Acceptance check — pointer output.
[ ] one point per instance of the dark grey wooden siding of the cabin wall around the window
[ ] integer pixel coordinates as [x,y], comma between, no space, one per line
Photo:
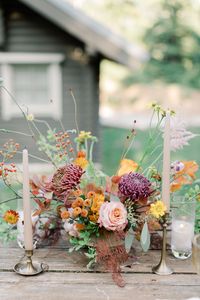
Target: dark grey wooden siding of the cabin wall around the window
[26,31]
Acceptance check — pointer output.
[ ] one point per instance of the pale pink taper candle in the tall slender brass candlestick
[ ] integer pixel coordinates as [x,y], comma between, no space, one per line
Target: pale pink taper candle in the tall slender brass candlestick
[166,163]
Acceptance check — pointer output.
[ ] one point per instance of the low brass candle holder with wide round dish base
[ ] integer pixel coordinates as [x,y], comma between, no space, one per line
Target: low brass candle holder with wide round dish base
[28,268]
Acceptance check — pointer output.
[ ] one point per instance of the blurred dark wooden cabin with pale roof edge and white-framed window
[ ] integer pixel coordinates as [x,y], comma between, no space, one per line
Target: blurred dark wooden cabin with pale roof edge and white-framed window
[48,47]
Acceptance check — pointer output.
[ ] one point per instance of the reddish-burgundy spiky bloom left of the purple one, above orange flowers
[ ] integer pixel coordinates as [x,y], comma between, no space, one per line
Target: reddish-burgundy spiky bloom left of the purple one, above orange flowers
[65,179]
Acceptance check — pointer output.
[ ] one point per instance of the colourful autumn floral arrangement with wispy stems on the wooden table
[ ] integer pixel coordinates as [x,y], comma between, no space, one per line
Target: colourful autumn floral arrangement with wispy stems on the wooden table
[99,214]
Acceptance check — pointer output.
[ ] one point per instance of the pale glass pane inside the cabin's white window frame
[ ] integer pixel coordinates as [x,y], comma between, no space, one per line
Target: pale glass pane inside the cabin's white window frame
[30,83]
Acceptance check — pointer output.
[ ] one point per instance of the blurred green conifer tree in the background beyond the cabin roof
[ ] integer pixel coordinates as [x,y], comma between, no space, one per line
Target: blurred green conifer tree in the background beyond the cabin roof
[173,47]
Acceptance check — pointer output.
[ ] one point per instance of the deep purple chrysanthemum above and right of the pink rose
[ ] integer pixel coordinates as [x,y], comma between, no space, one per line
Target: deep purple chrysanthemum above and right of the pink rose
[134,186]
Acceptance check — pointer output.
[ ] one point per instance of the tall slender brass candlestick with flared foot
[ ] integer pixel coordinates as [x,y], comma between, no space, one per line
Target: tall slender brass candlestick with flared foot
[162,268]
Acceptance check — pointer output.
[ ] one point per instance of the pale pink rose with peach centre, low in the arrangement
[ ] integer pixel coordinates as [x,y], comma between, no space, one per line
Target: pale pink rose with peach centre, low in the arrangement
[113,216]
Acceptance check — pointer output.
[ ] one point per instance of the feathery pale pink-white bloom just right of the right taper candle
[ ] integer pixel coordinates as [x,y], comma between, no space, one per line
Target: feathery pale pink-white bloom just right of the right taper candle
[179,135]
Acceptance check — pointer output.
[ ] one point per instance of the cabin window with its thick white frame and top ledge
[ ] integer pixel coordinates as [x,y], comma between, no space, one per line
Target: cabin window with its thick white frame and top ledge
[35,81]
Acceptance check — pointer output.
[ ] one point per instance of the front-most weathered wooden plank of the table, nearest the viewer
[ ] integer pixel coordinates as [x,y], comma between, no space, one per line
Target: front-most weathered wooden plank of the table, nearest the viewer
[99,286]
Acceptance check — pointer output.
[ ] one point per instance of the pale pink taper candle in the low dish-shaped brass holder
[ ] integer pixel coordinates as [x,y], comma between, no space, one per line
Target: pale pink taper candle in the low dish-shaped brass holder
[28,231]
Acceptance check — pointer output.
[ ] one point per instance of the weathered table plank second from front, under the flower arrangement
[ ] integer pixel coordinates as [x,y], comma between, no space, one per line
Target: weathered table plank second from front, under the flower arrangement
[61,260]
